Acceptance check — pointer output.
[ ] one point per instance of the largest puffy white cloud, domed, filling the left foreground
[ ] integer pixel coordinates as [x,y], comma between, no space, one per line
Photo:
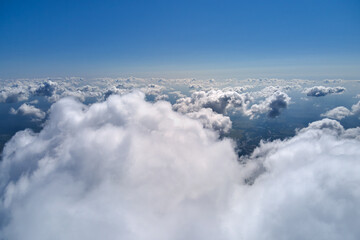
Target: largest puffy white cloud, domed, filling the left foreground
[122,169]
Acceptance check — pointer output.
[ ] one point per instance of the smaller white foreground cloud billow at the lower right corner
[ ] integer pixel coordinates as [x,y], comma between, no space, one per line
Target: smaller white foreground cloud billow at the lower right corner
[303,187]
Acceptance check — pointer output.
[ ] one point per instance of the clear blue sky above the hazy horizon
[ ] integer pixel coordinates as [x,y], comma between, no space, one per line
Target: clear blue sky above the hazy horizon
[129,37]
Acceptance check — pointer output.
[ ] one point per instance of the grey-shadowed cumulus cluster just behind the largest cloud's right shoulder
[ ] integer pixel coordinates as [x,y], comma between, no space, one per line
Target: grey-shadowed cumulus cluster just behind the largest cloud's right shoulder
[228,100]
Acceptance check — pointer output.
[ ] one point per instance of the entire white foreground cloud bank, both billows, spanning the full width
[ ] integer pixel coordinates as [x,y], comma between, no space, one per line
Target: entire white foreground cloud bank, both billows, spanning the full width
[129,169]
